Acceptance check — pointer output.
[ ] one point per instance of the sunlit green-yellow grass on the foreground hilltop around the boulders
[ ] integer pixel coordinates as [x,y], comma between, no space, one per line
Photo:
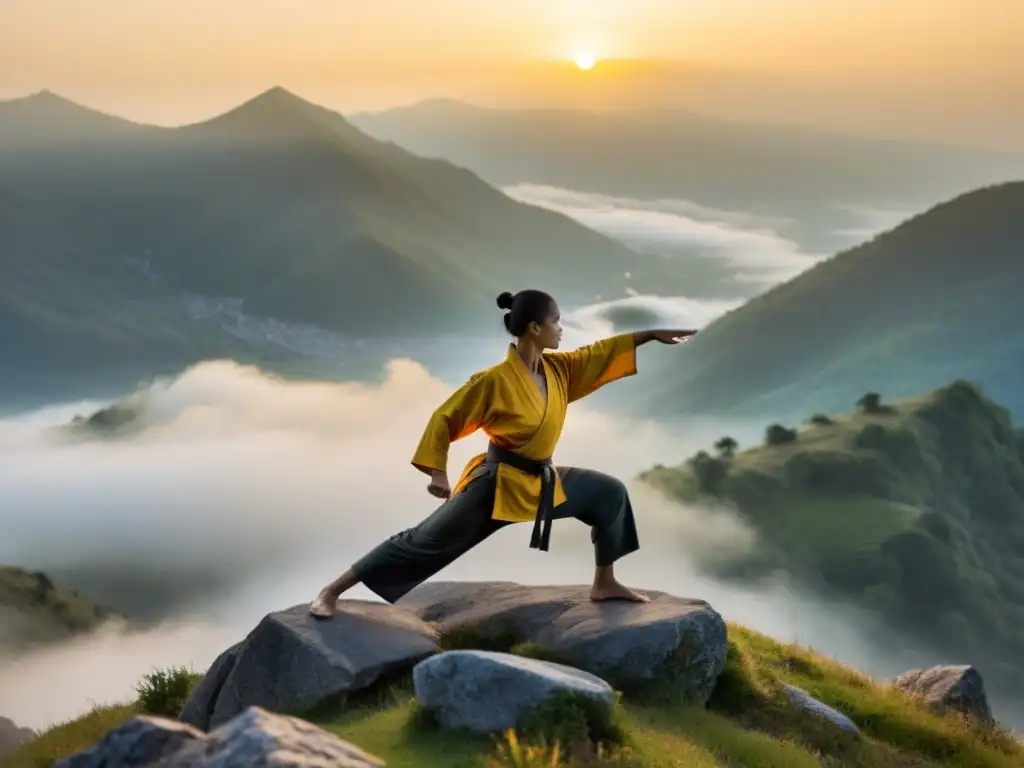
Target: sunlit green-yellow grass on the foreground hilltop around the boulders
[749,722]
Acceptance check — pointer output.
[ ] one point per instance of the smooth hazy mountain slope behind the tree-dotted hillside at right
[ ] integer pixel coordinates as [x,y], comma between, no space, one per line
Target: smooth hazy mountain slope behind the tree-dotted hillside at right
[935,300]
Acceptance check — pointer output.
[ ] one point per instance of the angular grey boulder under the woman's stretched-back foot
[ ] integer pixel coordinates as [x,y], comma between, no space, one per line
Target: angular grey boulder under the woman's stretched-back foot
[292,663]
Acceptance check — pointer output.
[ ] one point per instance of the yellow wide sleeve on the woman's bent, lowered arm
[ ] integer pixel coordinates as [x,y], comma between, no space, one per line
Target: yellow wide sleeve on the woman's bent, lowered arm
[462,414]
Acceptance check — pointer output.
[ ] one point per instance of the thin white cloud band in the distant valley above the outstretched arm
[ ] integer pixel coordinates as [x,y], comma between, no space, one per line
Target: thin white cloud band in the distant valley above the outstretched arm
[749,242]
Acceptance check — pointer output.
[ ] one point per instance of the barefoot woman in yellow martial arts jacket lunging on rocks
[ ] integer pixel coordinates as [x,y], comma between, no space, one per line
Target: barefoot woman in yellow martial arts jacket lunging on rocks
[521,404]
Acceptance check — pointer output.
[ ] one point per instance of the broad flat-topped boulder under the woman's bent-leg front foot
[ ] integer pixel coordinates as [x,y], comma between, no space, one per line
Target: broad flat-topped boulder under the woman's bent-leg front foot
[671,639]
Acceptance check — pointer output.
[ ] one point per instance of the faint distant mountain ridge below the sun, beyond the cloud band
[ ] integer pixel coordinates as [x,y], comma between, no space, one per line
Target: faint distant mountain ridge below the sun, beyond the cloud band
[787,172]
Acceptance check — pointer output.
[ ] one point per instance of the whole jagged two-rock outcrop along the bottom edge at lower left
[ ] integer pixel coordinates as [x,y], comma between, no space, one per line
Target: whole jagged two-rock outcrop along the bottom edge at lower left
[255,739]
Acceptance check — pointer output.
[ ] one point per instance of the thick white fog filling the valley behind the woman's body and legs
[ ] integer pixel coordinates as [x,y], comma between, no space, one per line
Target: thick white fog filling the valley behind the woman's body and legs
[243,494]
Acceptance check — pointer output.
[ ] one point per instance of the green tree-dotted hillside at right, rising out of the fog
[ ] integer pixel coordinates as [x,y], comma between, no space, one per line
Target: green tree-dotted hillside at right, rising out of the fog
[914,510]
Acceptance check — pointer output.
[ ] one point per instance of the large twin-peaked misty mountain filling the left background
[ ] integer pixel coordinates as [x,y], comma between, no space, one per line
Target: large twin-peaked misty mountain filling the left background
[277,228]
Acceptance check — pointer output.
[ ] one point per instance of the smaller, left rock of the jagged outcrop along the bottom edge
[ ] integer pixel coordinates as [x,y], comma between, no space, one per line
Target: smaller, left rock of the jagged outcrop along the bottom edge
[141,742]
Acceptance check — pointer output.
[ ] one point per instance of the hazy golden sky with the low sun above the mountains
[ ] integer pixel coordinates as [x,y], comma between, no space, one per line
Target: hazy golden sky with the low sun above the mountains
[908,64]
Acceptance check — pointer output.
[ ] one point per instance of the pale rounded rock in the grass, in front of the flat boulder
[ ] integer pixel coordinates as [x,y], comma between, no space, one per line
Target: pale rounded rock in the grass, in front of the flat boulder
[488,692]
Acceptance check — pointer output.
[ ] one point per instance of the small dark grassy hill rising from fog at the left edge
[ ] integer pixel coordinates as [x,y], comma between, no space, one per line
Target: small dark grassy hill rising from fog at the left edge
[34,611]
